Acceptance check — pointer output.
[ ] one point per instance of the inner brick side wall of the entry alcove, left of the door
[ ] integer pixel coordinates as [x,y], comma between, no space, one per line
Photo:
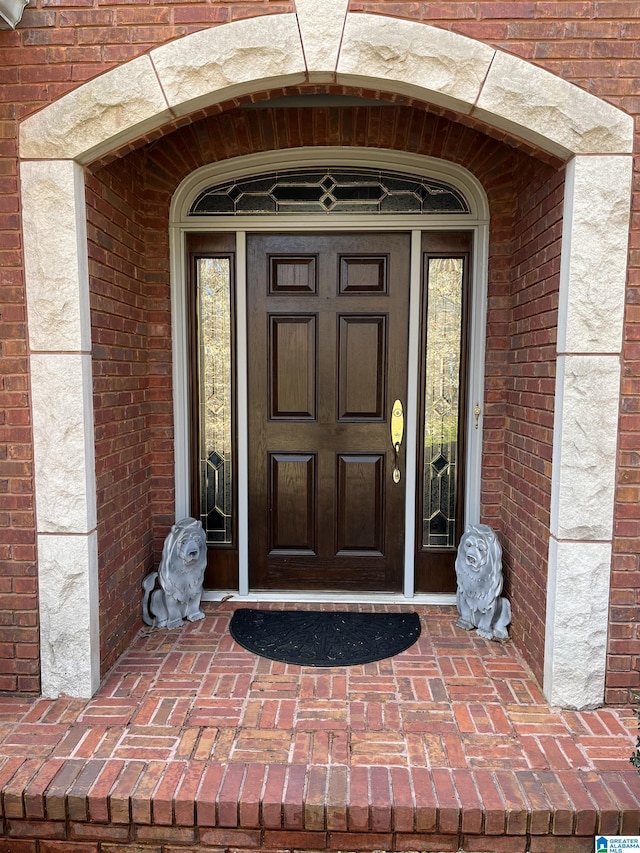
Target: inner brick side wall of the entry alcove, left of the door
[119,317]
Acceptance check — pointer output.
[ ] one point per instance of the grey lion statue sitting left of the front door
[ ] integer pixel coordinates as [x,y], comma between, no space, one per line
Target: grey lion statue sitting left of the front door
[180,576]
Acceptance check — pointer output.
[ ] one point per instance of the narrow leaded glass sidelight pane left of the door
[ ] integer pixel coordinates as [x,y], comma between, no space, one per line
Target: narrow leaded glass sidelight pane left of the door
[213,282]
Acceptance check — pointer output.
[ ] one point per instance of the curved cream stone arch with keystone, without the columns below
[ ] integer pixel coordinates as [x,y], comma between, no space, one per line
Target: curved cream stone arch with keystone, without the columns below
[360,50]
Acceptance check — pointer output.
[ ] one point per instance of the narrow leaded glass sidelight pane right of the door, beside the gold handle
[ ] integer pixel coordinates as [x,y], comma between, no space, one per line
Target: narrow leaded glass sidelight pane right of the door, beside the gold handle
[442,401]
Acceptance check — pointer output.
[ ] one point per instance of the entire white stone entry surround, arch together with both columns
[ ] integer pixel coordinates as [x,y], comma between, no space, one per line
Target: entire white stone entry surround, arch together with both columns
[357,50]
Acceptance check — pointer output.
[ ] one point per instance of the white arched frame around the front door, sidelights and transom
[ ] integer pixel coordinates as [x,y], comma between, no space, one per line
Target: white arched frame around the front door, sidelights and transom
[181,224]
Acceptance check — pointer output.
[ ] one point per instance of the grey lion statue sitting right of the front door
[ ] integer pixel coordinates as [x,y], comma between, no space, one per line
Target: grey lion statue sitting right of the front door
[479,575]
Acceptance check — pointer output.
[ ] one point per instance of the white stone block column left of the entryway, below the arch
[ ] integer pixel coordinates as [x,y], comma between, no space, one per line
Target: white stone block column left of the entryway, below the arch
[57,285]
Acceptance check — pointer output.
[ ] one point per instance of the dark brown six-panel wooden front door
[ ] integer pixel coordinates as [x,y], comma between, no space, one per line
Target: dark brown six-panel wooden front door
[327,326]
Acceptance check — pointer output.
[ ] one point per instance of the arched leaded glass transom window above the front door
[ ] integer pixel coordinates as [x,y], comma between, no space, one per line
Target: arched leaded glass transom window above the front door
[329,191]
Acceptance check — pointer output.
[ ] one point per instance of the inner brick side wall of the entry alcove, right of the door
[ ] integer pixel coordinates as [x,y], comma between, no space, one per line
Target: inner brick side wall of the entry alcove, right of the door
[529,403]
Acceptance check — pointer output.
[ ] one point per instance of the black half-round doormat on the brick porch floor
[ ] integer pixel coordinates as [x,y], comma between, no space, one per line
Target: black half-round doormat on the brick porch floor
[324,638]
